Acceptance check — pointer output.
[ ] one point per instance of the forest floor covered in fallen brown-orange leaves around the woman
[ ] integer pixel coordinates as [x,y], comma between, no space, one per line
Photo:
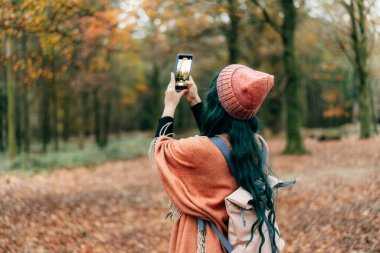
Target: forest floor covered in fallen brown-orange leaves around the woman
[120,206]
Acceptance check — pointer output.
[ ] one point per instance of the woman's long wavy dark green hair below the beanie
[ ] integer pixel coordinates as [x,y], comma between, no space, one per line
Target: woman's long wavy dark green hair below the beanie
[246,156]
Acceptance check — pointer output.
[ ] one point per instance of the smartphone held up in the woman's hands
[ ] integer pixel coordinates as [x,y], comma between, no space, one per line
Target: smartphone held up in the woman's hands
[182,69]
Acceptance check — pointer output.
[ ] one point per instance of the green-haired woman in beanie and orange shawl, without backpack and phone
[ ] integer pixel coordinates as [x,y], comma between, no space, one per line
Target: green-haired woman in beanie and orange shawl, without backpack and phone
[195,174]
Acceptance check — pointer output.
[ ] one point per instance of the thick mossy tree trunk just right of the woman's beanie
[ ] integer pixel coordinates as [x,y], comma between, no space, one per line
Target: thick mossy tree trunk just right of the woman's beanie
[292,90]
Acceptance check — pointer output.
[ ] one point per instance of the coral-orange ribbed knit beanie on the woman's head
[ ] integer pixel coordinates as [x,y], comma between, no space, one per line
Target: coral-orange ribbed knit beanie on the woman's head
[242,90]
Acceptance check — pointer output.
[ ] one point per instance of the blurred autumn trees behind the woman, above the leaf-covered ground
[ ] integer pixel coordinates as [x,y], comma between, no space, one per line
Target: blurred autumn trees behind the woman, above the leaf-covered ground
[87,69]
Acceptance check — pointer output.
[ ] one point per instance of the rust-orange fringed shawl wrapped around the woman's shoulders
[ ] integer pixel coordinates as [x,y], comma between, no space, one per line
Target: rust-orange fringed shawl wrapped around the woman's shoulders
[196,178]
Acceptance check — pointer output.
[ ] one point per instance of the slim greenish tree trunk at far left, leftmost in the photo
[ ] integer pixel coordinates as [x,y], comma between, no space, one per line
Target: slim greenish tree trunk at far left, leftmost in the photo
[10,98]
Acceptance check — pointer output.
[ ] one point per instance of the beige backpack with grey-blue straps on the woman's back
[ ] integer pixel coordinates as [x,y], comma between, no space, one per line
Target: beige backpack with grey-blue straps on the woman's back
[242,214]
